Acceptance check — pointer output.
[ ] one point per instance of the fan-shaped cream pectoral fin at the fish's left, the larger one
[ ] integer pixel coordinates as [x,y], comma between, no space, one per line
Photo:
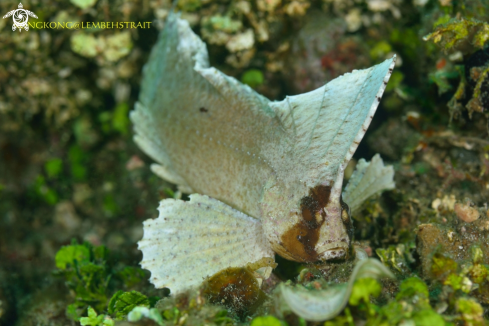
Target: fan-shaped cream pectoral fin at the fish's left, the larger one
[191,240]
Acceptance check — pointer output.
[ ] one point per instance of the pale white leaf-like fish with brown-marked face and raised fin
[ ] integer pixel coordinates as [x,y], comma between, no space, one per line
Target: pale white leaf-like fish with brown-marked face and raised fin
[273,171]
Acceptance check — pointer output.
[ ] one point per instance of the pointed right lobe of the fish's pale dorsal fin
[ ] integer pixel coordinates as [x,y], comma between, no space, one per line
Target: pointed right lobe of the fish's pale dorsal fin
[327,124]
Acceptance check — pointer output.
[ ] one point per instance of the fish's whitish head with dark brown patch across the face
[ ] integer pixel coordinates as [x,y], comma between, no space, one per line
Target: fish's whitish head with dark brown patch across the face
[308,228]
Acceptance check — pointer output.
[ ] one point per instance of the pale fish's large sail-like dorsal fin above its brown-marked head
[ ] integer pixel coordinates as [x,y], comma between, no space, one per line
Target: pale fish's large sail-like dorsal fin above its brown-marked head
[214,135]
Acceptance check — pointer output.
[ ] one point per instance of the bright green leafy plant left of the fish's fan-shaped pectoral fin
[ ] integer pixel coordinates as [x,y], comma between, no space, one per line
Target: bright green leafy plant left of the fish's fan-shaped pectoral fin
[91,279]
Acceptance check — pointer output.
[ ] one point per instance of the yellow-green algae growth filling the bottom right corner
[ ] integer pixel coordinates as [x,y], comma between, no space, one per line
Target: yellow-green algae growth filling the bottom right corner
[458,291]
